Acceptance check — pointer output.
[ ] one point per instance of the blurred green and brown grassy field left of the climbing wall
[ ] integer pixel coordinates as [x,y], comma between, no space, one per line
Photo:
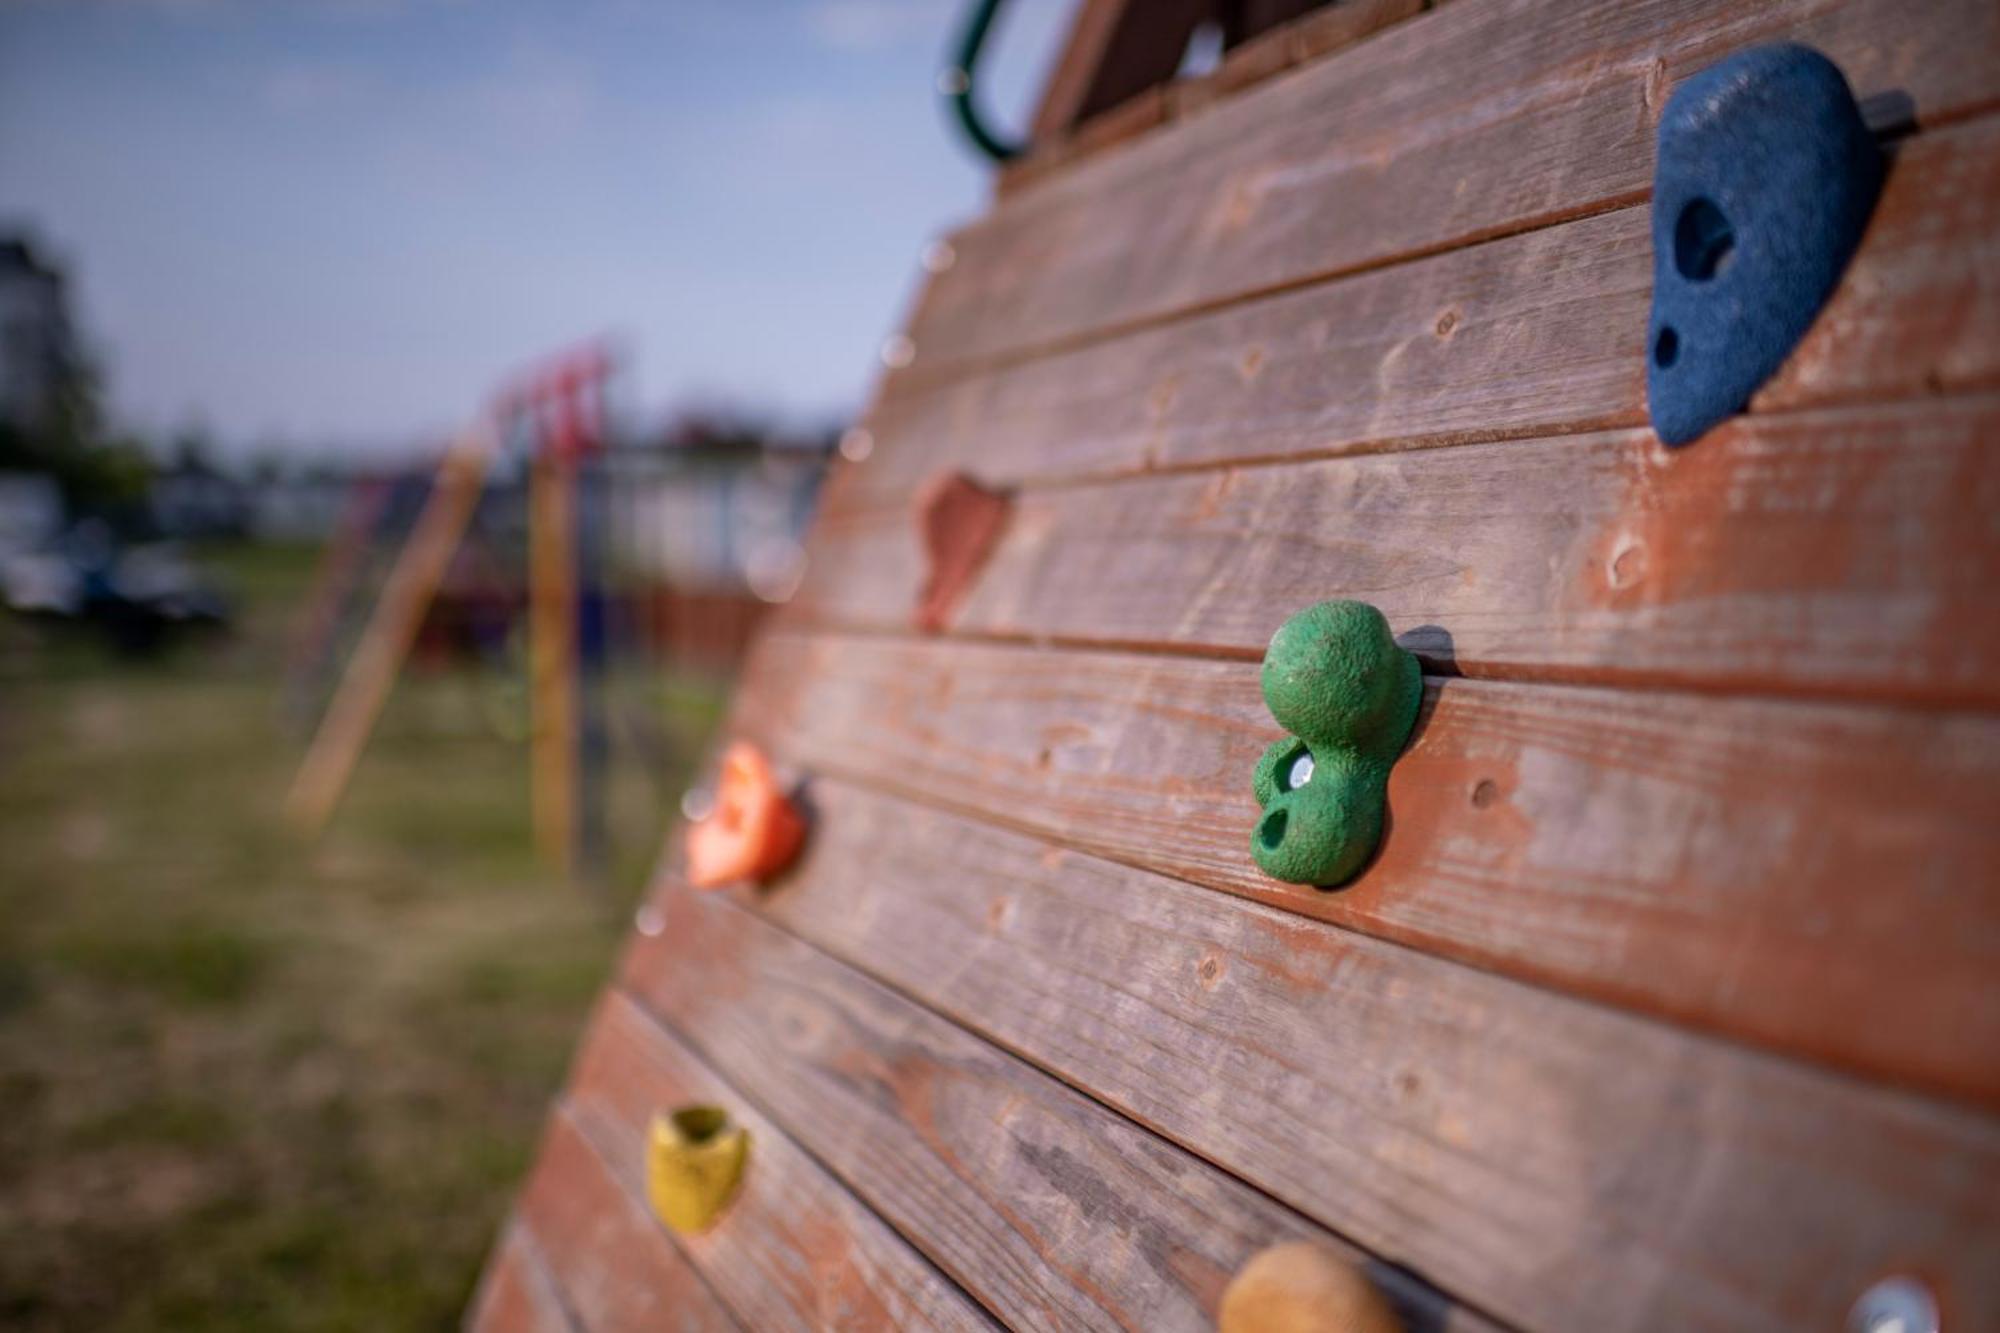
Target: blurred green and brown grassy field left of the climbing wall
[251,1086]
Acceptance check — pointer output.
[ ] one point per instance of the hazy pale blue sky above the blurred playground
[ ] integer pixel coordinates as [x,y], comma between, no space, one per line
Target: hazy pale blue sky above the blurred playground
[337,223]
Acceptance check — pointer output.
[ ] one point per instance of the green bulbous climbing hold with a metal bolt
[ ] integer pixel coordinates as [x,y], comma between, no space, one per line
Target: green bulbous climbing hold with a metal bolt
[1349,696]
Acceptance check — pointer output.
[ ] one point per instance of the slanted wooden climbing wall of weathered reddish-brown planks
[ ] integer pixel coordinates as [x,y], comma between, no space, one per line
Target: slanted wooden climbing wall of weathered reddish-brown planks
[1673,1000]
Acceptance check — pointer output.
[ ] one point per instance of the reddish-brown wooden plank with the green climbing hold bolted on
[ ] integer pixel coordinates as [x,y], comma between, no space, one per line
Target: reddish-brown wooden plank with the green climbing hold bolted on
[1745,866]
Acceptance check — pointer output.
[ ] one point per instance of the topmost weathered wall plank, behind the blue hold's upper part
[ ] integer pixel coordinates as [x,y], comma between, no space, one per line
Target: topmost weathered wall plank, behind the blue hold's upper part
[1479,119]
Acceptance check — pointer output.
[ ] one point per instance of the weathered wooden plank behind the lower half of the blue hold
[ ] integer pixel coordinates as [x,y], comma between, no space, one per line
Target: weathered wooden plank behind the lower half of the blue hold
[1519,337]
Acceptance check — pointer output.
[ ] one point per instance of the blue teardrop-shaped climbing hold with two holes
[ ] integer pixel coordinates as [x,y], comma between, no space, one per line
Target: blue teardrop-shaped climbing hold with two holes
[1763,185]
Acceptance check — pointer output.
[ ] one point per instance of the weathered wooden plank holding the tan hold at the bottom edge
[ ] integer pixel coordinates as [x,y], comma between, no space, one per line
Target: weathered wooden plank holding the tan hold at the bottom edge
[1039,1202]
